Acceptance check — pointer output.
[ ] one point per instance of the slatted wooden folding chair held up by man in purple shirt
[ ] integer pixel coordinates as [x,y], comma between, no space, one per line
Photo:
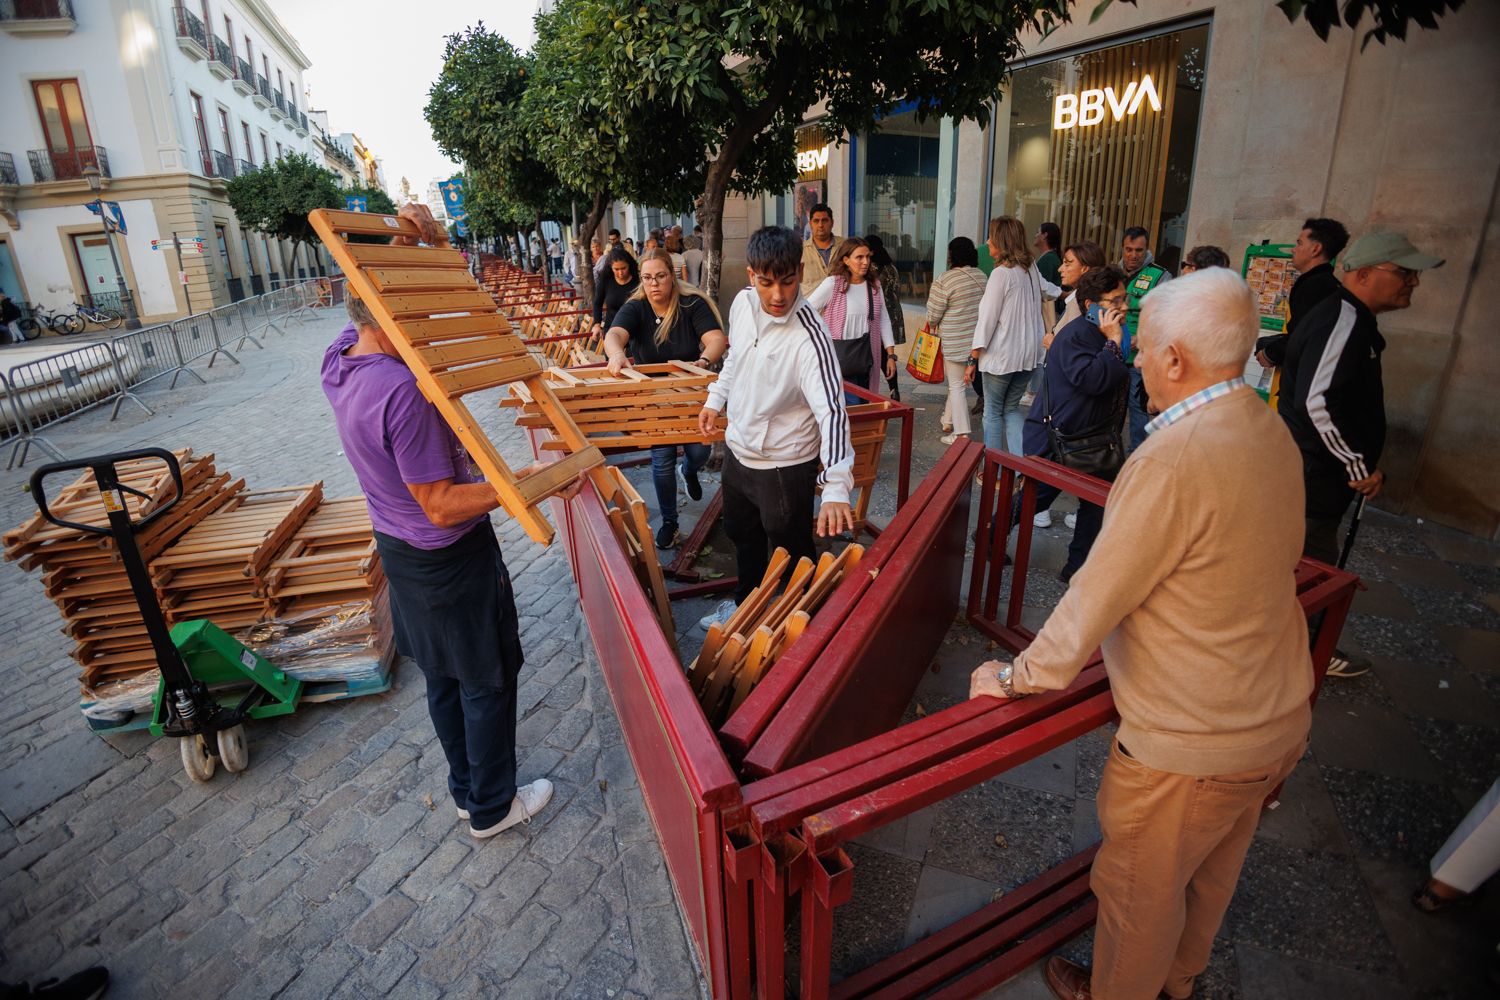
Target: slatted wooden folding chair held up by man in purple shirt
[454,338]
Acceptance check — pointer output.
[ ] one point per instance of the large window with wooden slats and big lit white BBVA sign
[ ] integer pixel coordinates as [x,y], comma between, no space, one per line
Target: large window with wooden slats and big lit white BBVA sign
[1103,142]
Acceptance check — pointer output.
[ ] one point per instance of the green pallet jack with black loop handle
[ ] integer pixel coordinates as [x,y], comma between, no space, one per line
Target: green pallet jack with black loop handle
[211,681]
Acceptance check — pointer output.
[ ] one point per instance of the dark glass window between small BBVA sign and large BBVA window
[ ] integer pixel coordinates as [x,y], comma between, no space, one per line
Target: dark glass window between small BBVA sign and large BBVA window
[896,194]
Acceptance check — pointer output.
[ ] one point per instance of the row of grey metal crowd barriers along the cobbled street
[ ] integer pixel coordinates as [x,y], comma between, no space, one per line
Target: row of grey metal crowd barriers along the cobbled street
[46,392]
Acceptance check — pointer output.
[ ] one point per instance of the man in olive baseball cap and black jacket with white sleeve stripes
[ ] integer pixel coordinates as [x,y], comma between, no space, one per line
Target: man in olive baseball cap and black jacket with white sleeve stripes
[1331,391]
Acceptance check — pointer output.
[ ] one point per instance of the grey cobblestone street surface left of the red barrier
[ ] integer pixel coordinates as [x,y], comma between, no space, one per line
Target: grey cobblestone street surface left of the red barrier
[335,866]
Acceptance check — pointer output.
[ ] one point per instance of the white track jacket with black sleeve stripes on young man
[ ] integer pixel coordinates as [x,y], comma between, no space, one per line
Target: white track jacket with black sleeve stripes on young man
[784,397]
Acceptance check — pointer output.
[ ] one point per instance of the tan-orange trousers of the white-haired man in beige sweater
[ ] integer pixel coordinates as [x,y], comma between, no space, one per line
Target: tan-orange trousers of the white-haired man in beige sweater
[1174,846]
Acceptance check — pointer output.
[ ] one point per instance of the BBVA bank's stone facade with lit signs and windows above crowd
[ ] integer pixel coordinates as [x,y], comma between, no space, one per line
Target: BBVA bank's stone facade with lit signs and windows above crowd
[1226,125]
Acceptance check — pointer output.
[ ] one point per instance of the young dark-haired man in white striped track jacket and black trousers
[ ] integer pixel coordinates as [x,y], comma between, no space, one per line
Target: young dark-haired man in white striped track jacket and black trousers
[784,397]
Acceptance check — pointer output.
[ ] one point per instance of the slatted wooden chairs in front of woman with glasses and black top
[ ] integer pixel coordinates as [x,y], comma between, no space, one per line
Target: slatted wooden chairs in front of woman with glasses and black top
[643,407]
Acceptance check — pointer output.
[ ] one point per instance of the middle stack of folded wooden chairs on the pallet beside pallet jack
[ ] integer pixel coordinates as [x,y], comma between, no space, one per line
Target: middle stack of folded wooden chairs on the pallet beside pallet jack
[218,569]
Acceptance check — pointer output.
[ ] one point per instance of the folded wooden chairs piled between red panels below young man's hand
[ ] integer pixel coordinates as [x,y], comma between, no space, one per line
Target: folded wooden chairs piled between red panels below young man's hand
[737,654]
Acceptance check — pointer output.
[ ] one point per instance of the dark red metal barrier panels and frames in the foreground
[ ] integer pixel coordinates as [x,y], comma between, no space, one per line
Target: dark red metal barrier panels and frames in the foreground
[742,852]
